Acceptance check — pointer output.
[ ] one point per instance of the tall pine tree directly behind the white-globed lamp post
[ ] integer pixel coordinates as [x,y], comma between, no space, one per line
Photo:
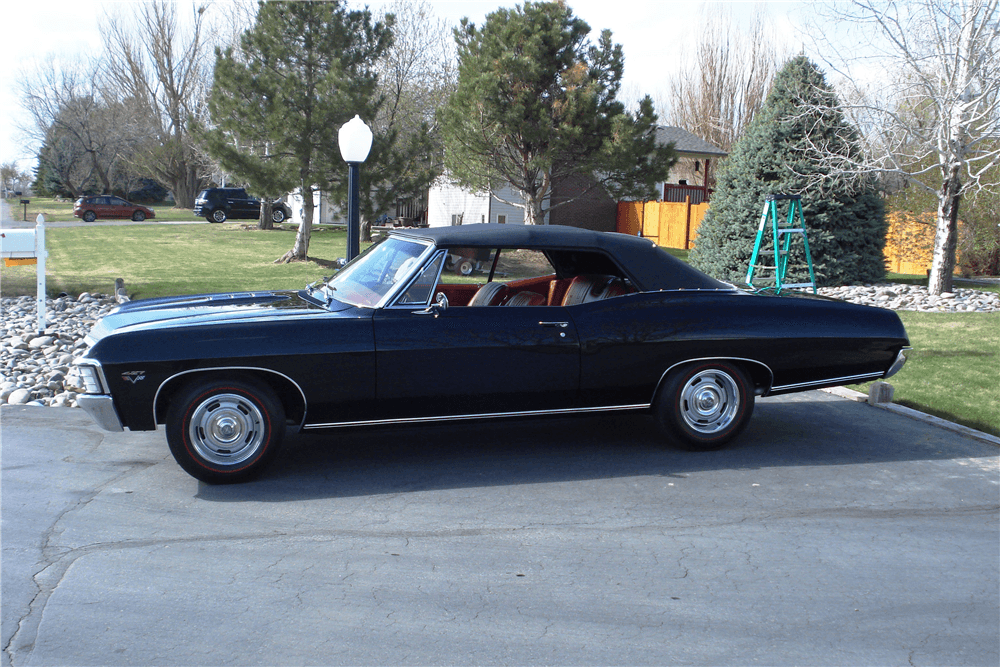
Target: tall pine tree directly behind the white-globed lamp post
[279,100]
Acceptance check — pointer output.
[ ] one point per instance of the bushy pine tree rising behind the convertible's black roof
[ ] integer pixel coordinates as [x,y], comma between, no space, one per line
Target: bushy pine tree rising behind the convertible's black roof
[536,103]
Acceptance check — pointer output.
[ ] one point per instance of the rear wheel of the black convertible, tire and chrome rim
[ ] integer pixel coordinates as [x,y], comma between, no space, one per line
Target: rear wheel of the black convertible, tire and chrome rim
[704,405]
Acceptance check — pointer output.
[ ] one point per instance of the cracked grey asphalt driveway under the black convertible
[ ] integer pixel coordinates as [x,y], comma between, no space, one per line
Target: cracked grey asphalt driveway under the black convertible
[829,533]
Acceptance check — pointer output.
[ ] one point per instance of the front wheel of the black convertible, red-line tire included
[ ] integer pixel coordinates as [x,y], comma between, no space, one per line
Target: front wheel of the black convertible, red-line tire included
[224,431]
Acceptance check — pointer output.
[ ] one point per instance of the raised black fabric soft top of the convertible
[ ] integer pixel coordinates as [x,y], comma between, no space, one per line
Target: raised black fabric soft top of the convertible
[648,265]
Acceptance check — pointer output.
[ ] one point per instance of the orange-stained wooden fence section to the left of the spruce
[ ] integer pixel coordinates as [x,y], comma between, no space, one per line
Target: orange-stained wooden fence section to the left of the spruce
[667,224]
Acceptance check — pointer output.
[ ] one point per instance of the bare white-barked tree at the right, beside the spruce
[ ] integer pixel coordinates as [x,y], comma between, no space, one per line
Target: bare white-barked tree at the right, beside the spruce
[931,112]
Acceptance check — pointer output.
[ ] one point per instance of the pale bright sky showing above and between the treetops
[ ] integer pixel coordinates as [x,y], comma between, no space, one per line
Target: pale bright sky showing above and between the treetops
[656,36]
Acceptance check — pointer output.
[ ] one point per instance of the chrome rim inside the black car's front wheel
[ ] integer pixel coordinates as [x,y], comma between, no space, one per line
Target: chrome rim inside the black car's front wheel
[226,429]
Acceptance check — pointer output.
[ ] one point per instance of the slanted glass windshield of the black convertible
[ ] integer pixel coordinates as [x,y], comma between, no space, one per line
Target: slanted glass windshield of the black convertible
[373,273]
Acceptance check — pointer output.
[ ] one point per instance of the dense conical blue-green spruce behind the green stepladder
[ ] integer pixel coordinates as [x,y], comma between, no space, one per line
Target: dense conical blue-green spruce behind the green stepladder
[844,216]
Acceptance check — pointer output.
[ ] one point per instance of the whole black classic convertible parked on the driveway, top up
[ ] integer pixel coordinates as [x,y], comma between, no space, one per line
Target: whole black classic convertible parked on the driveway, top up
[551,320]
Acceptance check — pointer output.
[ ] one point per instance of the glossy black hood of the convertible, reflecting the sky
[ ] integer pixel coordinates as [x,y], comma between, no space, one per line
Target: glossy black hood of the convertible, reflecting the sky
[207,310]
